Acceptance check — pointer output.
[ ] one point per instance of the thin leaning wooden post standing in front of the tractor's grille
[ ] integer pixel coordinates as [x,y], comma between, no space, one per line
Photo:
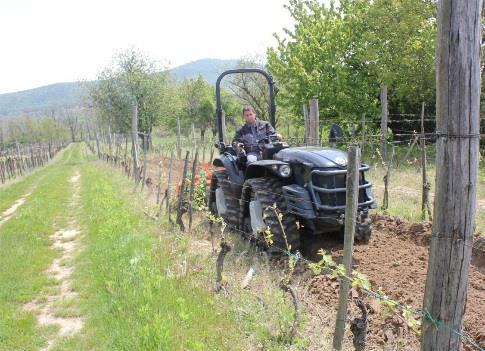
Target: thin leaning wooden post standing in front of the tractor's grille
[352,196]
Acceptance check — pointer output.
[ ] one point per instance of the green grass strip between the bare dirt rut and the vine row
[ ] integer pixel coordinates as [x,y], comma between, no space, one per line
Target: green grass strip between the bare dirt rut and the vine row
[129,302]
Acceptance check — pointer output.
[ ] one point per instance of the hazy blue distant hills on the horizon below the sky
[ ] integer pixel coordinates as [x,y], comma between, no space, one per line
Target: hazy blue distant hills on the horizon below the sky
[44,99]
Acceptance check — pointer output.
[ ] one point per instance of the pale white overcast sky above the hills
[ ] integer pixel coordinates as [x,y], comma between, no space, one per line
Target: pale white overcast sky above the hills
[49,41]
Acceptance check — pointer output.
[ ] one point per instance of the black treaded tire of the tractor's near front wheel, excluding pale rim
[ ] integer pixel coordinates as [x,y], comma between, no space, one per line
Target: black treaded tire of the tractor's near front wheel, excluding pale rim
[269,192]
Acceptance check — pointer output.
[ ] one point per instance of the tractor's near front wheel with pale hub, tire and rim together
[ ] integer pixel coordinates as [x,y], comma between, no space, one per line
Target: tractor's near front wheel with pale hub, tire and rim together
[258,197]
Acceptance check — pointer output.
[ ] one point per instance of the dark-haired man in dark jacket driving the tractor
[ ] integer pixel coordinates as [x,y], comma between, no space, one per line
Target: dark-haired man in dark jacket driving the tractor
[250,135]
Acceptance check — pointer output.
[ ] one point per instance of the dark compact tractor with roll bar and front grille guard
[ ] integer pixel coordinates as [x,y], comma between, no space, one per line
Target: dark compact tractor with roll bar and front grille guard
[307,185]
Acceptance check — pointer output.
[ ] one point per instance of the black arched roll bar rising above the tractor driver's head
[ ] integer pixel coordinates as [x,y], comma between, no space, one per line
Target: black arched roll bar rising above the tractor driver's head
[272,104]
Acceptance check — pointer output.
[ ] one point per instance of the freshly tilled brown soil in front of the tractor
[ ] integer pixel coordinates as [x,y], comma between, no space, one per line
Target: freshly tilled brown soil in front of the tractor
[396,259]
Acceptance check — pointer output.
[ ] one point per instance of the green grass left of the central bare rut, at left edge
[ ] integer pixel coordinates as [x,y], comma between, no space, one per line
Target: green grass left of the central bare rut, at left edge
[26,252]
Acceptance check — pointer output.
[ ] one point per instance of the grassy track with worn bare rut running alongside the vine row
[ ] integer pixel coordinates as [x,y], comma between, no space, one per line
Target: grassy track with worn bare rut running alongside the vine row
[82,269]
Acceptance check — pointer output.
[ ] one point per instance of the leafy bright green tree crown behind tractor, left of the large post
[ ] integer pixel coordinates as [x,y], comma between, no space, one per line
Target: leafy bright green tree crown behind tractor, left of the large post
[341,55]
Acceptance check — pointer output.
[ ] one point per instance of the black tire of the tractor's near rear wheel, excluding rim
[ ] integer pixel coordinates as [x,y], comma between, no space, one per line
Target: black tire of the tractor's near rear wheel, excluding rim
[220,180]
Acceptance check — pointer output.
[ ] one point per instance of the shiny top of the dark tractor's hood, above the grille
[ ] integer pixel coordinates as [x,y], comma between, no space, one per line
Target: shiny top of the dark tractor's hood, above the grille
[314,156]
